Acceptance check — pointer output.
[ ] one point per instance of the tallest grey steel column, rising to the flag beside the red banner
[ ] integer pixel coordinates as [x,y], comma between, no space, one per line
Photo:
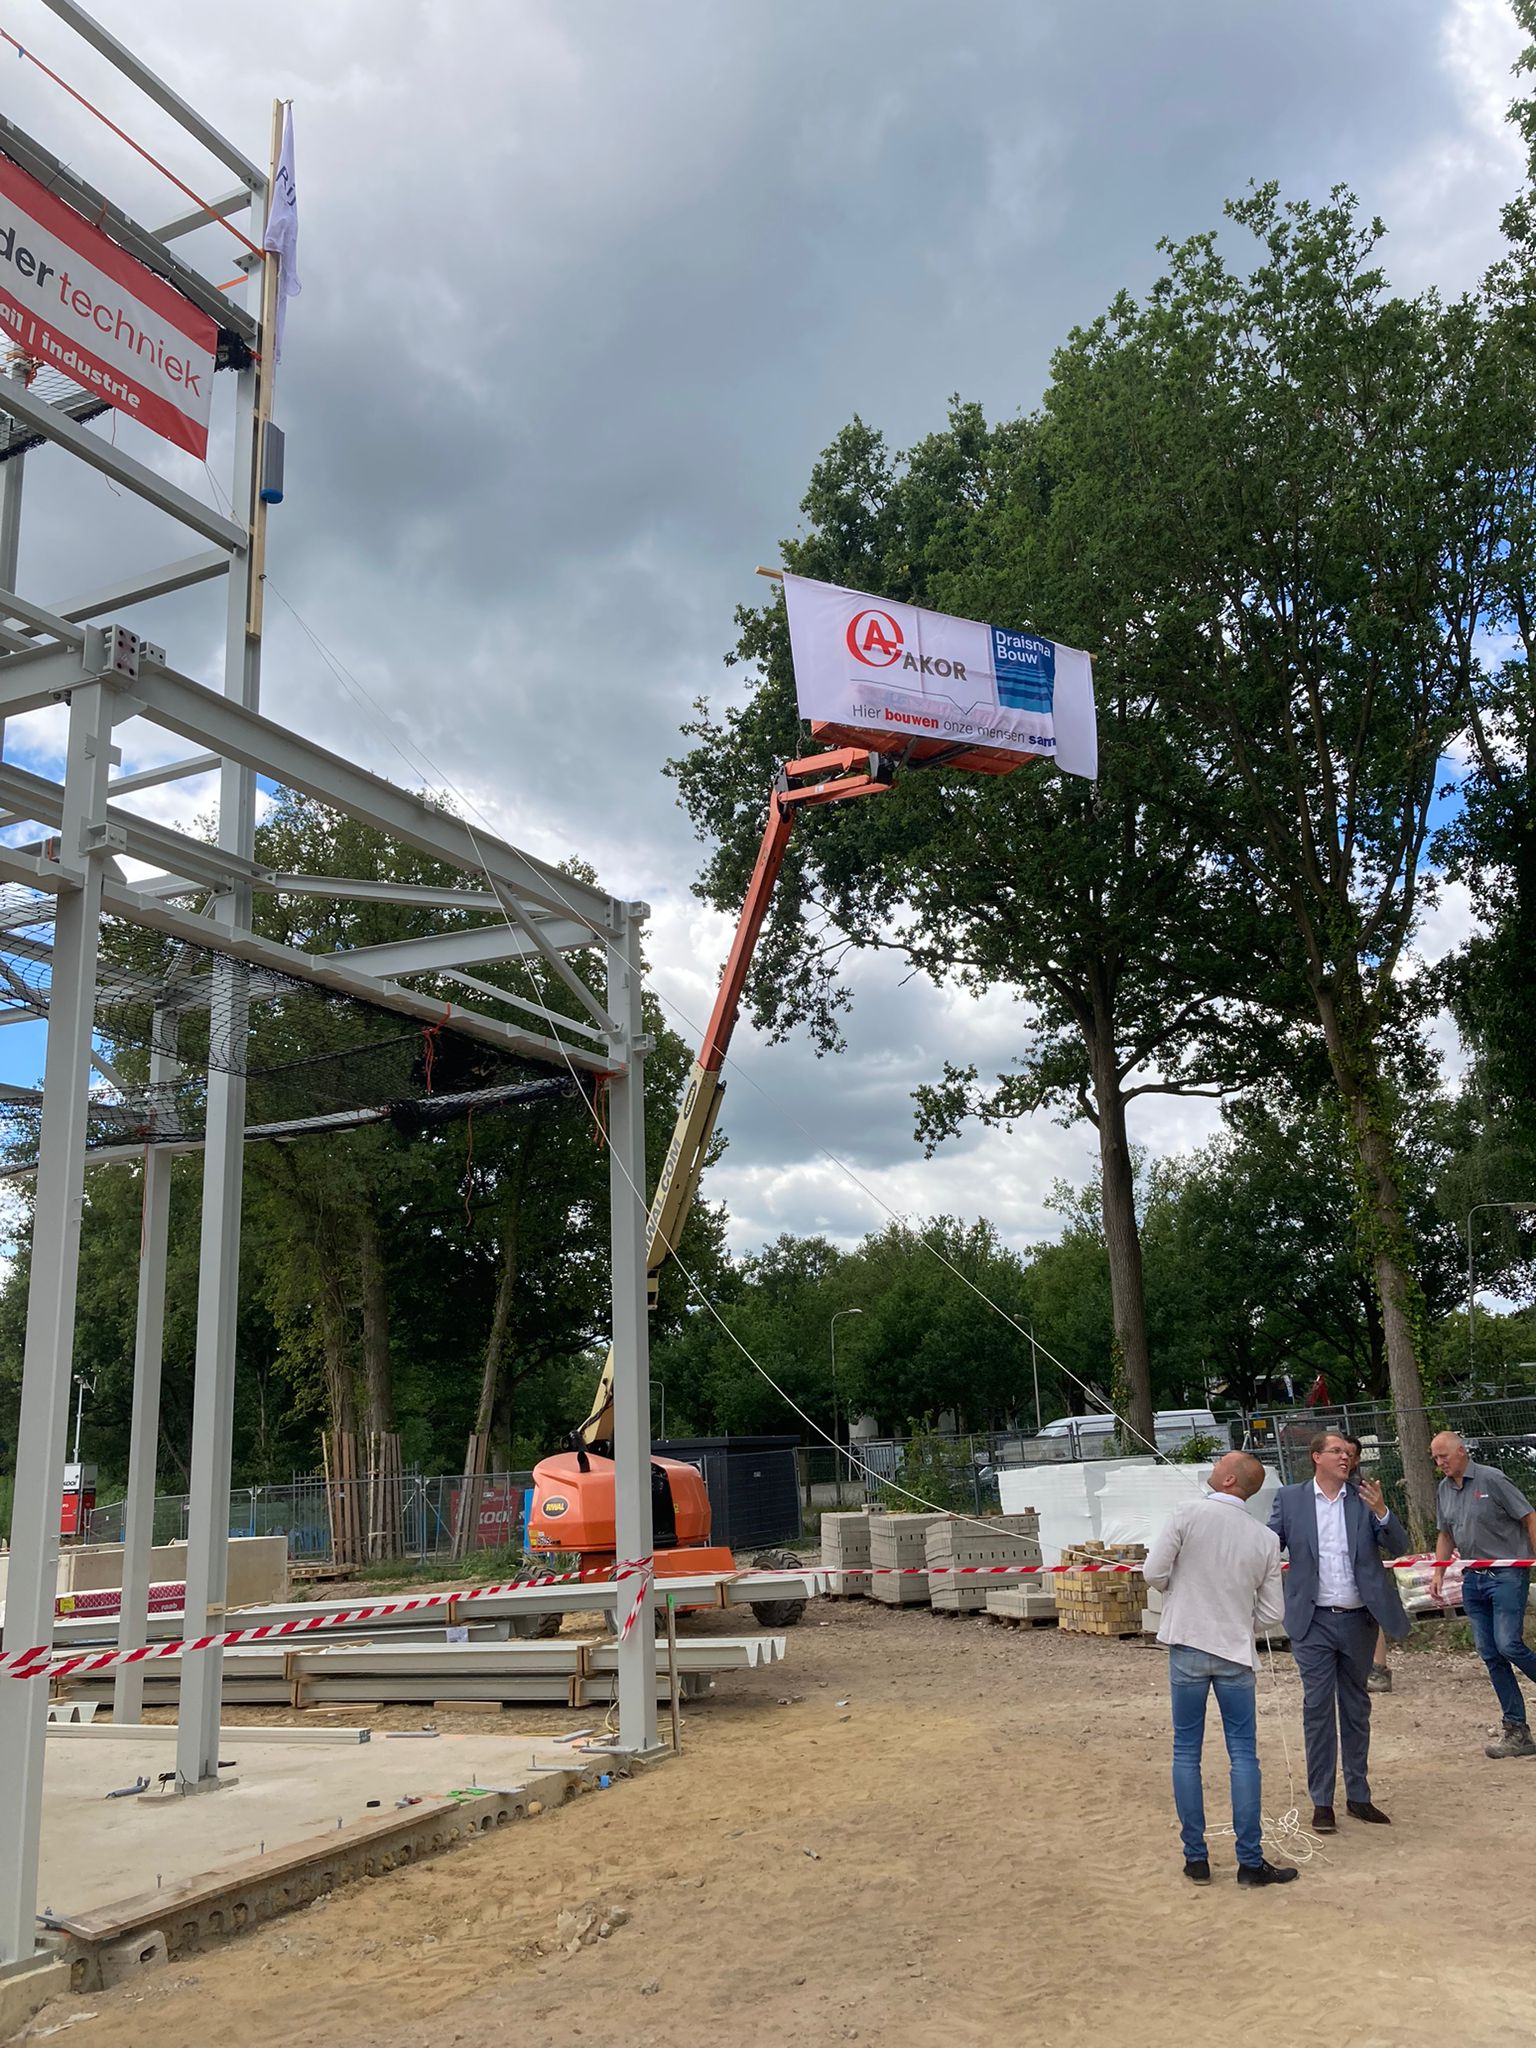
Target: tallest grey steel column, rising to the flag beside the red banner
[224,1156]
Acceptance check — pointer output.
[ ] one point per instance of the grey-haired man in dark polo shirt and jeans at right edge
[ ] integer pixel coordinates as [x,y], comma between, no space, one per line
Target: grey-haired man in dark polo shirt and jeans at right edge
[1484,1514]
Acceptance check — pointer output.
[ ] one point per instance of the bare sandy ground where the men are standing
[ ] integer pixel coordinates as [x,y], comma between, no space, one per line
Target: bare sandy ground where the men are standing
[921,1830]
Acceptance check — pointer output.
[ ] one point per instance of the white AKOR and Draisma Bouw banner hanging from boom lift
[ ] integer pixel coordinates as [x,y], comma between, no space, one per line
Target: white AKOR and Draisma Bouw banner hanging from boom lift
[898,671]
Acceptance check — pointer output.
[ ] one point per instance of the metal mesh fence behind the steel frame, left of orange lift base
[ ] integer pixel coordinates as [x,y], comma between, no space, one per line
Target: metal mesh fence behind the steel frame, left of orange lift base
[429,1514]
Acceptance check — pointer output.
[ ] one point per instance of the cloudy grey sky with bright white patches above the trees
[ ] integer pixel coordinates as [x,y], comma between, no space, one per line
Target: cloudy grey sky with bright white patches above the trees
[589,286]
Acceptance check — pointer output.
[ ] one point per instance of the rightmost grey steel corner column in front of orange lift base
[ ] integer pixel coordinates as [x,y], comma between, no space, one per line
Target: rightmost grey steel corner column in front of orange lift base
[632,1394]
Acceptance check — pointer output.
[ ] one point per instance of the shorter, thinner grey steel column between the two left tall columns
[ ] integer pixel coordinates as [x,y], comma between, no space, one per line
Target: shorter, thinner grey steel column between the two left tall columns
[144,1439]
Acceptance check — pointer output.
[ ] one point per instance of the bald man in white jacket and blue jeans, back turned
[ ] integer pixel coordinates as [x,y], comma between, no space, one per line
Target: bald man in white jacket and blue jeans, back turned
[1220,1572]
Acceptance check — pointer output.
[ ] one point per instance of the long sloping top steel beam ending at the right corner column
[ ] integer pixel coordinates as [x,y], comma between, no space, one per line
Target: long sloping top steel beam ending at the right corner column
[239,734]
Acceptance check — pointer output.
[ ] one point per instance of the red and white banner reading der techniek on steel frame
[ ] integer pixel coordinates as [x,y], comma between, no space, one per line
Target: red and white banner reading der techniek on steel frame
[73,300]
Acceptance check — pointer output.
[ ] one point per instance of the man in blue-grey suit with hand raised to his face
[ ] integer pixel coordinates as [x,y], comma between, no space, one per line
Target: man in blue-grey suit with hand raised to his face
[1338,1594]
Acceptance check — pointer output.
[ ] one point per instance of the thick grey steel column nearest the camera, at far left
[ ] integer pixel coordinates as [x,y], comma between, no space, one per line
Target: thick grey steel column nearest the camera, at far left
[48,1359]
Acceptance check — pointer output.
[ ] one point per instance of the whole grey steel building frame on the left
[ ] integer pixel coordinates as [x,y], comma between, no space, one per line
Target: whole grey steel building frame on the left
[108,677]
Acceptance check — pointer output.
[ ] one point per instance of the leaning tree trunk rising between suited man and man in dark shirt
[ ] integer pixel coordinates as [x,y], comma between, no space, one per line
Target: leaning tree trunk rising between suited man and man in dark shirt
[1357,1076]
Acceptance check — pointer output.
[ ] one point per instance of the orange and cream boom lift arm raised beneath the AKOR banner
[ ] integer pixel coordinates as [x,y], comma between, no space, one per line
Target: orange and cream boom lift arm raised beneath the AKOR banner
[818,779]
